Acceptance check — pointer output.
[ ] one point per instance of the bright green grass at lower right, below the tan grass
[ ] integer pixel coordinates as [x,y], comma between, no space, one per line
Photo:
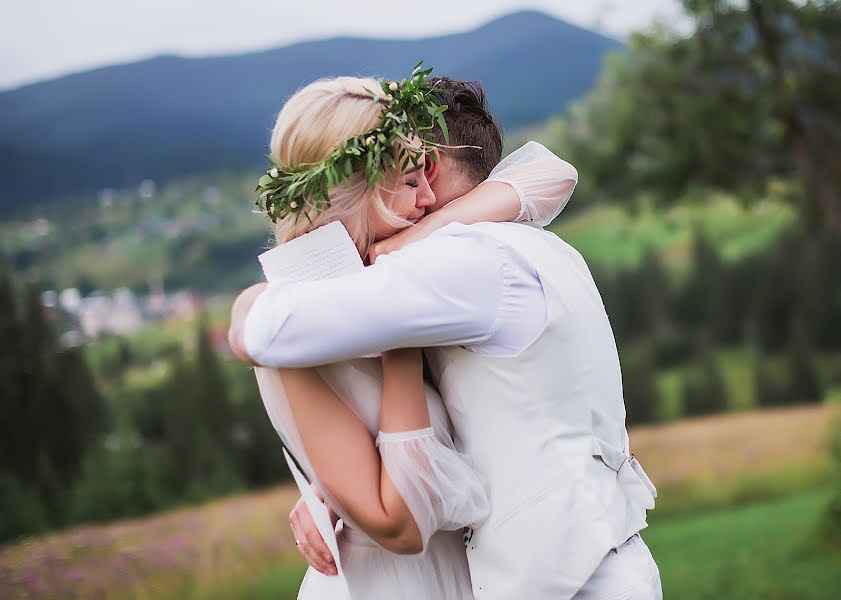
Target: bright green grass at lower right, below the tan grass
[762,551]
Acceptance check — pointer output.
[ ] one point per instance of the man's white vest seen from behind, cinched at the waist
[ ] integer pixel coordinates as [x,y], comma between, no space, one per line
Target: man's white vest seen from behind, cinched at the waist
[547,428]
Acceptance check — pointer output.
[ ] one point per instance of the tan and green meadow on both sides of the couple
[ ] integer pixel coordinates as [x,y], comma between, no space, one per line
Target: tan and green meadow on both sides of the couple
[742,522]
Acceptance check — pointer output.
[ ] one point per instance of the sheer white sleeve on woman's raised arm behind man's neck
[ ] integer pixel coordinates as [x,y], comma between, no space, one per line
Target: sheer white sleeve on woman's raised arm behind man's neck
[543,181]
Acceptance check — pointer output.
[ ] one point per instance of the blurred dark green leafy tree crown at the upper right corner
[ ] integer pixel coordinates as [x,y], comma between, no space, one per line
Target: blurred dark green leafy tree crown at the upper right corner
[742,101]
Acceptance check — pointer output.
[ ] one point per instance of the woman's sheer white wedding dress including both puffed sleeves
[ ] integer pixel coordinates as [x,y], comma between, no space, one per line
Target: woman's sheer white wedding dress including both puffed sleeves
[439,485]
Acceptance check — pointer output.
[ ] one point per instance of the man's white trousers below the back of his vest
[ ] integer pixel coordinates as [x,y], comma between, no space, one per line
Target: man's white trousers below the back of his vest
[626,573]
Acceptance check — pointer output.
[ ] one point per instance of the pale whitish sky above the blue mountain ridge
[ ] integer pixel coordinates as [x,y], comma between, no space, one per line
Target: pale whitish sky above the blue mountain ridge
[42,39]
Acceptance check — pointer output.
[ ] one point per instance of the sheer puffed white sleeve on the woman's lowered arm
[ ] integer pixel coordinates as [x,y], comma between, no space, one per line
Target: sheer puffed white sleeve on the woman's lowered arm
[440,486]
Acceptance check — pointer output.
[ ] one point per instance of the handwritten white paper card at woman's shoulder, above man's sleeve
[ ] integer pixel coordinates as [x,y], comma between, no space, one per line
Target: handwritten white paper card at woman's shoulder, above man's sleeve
[320,254]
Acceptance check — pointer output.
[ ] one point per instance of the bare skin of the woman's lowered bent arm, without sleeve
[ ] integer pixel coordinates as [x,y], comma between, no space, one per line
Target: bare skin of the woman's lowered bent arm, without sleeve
[343,454]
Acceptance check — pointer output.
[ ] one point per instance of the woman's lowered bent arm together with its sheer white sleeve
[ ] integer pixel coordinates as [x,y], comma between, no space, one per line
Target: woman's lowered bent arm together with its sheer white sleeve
[405,486]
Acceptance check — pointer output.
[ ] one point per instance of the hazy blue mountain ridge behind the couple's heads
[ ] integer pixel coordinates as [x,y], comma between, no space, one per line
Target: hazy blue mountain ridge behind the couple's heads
[168,116]
